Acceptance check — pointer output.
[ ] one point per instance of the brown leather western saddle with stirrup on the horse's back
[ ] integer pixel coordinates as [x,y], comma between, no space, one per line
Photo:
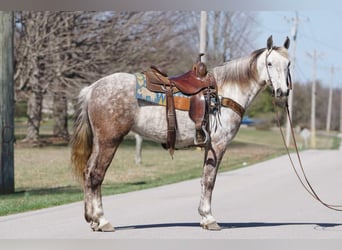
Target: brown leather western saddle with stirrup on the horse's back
[202,99]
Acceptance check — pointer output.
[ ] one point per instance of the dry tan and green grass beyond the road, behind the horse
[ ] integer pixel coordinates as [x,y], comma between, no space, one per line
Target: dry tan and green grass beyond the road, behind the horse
[43,177]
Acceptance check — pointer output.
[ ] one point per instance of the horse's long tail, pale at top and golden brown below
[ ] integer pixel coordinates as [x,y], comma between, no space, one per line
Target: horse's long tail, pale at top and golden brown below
[81,140]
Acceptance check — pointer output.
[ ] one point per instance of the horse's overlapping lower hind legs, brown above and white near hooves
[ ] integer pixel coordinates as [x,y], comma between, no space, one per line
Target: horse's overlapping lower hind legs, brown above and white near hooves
[99,161]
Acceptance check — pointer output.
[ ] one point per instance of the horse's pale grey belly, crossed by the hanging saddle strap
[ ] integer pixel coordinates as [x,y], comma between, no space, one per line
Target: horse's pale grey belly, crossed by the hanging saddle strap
[151,123]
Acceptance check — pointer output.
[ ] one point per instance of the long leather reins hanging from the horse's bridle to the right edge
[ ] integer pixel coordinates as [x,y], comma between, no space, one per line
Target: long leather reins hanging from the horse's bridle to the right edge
[305,182]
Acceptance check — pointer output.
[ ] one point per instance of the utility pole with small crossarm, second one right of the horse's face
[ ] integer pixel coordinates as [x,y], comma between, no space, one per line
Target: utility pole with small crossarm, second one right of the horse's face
[313,100]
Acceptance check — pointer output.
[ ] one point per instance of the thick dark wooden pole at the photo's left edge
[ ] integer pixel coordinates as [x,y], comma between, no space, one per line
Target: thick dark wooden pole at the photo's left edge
[6,103]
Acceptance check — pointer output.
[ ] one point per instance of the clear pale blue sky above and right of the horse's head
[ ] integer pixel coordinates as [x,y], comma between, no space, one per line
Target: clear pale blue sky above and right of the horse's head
[317,30]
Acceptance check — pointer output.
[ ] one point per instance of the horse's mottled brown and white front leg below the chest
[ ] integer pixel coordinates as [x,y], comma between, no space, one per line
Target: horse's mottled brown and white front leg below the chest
[212,160]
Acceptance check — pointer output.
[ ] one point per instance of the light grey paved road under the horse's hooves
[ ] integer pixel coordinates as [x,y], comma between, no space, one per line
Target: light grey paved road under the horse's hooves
[262,201]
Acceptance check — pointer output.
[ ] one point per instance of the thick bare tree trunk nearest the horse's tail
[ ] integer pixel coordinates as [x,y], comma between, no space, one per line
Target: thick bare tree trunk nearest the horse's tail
[60,114]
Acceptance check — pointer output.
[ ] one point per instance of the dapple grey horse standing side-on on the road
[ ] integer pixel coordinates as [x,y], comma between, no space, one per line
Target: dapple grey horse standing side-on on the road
[108,109]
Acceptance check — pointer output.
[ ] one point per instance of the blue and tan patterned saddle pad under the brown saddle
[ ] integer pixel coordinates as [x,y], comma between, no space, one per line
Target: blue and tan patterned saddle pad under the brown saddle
[182,102]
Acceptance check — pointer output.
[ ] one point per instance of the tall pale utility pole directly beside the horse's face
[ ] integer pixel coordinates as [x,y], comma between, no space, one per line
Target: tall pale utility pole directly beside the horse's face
[290,98]
